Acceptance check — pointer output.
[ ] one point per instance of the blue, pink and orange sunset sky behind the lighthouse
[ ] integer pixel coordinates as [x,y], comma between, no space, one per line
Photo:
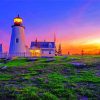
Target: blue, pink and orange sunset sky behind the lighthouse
[76,23]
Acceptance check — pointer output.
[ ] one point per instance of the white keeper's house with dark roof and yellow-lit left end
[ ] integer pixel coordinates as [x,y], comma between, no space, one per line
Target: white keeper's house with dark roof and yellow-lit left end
[42,48]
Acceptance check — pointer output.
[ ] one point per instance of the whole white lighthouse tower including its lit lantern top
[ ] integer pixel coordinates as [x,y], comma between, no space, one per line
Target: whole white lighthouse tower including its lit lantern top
[17,42]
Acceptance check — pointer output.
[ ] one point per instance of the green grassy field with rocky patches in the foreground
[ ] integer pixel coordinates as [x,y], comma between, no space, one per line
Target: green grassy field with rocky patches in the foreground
[59,78]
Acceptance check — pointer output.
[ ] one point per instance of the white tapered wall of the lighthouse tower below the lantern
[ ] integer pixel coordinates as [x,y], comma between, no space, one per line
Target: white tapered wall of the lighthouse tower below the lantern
[17,32]
